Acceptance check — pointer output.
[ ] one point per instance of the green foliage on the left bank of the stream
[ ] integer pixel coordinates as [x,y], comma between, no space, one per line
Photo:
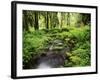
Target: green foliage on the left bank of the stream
[32,44]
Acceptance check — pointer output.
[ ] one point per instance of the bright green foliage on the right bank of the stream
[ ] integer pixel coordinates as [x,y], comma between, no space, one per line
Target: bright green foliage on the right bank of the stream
[80,53]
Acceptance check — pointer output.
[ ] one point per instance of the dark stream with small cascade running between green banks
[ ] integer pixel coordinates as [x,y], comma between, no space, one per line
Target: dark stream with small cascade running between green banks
[54,57]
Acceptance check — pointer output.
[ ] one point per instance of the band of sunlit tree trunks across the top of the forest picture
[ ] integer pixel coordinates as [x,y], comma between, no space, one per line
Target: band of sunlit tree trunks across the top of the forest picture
[49,20]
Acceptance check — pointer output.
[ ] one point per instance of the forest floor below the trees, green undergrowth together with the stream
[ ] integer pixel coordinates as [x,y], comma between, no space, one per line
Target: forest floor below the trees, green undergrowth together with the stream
[67,47]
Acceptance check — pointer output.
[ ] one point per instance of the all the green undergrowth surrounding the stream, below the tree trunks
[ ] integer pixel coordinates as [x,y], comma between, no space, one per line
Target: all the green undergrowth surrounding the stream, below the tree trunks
[77,39]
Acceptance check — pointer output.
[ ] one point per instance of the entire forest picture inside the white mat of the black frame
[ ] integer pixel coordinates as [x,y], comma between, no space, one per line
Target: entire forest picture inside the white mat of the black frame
[57,39]
